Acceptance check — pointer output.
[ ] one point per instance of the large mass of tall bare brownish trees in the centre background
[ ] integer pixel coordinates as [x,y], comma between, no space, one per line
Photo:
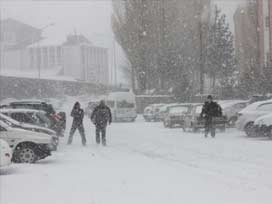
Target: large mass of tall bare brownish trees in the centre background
[160,40]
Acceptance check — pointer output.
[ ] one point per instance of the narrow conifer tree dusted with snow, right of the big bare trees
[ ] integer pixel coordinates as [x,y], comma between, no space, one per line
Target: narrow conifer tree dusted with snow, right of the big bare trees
[220,59]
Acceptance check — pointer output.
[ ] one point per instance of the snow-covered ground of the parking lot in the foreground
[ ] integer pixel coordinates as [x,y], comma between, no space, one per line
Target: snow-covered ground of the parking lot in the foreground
[146,164]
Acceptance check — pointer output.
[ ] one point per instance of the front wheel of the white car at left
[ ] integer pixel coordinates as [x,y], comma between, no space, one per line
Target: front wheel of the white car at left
[25,153]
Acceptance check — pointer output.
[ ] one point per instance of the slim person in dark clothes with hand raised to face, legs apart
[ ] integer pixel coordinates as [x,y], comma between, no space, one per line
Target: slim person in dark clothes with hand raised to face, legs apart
[78,115]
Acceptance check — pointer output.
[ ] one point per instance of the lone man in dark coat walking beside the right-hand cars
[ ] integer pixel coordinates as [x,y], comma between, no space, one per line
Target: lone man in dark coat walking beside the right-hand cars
[210,110]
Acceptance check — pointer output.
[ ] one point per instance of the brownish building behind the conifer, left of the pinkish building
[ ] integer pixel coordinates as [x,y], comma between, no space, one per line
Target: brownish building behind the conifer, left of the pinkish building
[246,37]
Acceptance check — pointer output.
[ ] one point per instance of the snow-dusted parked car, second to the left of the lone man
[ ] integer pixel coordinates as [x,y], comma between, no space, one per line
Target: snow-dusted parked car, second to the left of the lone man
[176,115]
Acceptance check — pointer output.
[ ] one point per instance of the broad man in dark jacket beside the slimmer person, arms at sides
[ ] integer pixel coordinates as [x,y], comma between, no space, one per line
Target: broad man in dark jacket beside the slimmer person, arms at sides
[101,117]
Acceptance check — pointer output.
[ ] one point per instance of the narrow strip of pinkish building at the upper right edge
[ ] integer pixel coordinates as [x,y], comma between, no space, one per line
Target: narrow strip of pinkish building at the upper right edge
[264,9]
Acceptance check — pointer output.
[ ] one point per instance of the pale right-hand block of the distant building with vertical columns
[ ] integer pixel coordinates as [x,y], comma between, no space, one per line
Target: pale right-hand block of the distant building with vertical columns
[84,61]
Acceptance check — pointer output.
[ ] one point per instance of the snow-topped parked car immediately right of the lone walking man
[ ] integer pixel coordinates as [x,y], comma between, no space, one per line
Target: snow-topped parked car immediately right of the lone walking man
[231,108]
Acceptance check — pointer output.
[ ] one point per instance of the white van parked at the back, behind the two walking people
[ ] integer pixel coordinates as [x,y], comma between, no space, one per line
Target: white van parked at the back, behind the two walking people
[122,105]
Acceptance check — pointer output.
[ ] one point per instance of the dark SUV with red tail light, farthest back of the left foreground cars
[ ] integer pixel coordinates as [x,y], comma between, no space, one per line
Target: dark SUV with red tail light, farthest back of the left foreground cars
[59,118]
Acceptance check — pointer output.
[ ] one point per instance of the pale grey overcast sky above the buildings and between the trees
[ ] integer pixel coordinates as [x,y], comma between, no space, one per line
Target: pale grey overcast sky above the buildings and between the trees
[91,18]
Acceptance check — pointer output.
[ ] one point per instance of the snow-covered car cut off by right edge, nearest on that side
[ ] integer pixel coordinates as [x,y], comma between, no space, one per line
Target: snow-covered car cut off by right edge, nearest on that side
[263,126]
